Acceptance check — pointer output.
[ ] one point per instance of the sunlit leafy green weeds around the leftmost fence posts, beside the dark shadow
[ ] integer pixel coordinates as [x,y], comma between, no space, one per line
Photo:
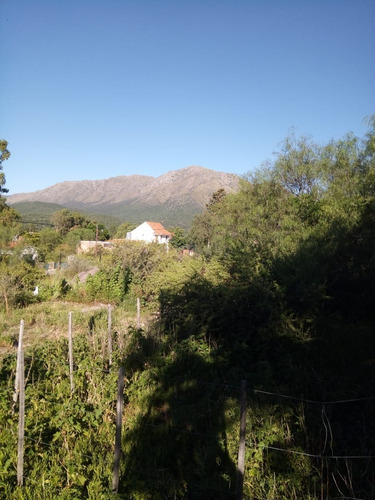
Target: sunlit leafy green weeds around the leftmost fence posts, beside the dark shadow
[68,452]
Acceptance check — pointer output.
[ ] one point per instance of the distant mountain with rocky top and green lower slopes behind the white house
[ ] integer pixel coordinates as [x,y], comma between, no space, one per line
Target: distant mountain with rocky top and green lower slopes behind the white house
[173,198]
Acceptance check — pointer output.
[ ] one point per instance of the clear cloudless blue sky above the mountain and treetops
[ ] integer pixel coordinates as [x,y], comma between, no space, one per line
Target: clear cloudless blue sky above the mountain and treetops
[93,89]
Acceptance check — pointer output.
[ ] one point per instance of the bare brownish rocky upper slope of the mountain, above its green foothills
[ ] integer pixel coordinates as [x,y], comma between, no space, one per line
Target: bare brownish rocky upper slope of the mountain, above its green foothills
[191,185]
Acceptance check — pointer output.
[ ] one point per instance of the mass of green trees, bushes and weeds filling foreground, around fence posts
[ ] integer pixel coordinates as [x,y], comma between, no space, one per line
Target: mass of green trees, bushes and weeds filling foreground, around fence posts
[279,293]
